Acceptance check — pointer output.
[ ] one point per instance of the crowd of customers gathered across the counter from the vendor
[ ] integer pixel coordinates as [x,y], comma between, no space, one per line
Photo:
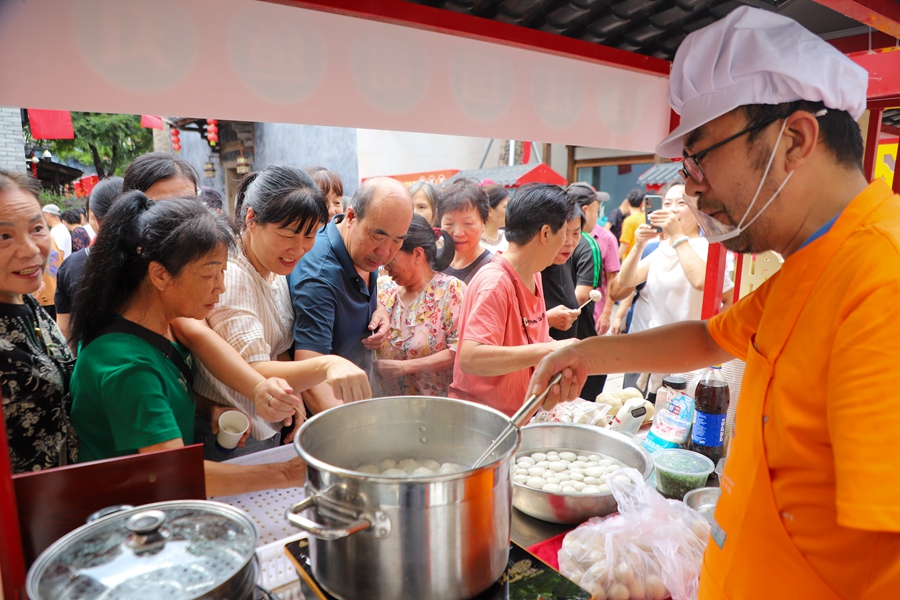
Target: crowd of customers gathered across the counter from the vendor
[164,313]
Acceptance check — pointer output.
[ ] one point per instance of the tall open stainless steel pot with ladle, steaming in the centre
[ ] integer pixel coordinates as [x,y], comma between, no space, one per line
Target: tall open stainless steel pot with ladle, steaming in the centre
[384,538]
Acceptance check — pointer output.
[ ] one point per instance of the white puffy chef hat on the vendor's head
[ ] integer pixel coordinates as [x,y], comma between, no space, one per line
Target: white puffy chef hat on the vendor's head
[754,56]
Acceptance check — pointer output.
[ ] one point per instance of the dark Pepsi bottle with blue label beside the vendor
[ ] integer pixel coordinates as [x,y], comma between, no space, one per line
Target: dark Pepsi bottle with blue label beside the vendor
[710,410]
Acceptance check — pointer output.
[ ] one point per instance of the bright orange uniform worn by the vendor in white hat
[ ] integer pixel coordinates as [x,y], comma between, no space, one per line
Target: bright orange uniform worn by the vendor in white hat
[810,505]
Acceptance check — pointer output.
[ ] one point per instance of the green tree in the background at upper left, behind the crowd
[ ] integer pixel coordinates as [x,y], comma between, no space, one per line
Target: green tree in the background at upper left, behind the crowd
[108,141]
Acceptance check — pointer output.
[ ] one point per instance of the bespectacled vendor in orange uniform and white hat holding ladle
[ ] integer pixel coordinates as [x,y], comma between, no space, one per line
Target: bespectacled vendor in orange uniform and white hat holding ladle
[810,504]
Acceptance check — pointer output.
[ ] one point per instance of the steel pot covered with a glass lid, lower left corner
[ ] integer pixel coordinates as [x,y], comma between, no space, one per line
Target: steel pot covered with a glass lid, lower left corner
[179,550]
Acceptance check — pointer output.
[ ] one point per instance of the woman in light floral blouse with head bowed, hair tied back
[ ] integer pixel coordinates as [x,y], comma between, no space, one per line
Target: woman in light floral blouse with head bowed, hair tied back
[424,304]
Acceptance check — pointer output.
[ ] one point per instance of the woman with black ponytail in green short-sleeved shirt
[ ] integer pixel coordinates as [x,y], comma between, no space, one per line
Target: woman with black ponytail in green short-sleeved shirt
[131,389]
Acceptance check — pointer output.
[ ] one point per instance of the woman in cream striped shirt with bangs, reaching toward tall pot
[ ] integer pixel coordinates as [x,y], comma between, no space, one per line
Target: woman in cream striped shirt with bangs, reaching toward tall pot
[279,211]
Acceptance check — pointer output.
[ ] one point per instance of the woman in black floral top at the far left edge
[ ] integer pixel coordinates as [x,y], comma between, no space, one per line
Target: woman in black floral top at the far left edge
[35,363]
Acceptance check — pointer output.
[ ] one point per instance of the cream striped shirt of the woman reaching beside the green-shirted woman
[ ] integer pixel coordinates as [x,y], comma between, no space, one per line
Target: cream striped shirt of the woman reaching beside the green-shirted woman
[256,317]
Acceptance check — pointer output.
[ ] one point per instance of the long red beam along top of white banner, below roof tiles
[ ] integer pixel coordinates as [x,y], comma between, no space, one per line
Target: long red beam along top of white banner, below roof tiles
[399,12]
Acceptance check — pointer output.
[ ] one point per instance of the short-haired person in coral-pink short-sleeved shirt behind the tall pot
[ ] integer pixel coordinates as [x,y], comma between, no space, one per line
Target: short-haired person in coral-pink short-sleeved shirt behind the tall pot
[503,330]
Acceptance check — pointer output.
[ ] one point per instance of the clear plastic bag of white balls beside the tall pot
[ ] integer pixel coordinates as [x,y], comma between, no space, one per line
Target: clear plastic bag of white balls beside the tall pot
[651,550]
